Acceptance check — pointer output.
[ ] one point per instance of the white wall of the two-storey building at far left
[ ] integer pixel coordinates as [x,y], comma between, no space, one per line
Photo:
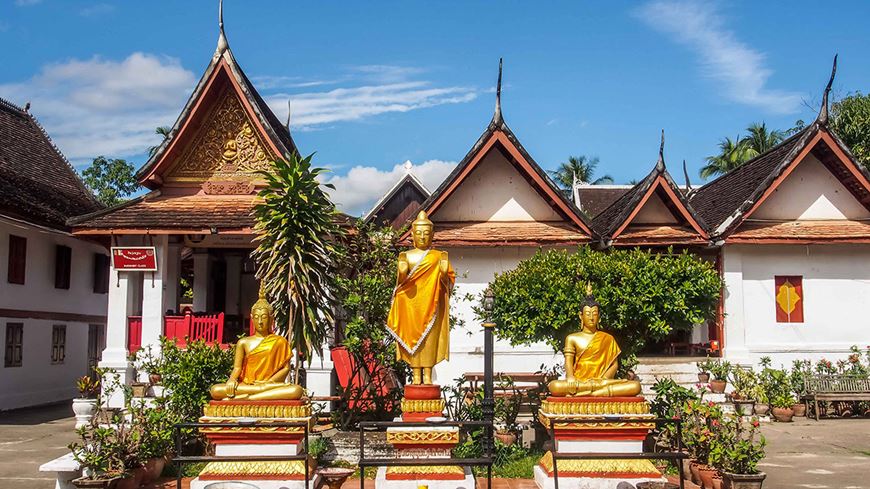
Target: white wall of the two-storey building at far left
[37,381]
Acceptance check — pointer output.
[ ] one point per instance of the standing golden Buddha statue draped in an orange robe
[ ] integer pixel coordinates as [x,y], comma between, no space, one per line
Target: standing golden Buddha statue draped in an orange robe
[419,317]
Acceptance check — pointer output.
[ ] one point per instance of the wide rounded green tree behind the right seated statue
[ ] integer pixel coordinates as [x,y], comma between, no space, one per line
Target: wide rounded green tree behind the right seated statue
[644,296]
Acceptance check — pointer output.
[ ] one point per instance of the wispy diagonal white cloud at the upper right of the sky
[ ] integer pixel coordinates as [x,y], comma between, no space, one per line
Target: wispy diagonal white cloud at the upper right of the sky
[740,69]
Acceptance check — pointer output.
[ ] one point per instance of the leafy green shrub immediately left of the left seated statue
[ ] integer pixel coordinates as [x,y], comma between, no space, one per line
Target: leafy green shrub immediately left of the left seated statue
[188,374]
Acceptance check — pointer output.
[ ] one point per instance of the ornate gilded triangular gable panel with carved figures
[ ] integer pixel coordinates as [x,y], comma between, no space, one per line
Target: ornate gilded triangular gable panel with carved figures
[226,146]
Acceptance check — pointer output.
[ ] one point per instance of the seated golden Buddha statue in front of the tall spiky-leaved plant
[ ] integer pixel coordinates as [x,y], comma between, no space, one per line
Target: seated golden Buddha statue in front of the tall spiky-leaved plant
[261,363]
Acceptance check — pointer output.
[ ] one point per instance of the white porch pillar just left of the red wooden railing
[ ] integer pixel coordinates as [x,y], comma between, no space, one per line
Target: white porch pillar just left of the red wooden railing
[153,296]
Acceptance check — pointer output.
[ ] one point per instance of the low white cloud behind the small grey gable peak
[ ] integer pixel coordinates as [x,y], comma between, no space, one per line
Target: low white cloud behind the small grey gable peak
[358,190]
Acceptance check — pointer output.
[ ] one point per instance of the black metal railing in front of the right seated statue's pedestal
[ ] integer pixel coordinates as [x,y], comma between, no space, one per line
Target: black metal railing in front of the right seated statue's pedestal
[677,455]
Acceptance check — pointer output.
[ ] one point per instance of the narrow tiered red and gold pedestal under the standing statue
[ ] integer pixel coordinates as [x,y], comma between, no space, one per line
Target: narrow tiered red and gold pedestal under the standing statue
[423,442]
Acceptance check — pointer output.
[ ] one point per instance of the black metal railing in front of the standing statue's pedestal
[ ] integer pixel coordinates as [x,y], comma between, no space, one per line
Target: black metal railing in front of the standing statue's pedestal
[370,426]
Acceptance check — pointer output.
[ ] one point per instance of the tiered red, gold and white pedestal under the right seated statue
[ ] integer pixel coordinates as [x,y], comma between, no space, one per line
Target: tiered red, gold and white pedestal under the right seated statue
[605,437]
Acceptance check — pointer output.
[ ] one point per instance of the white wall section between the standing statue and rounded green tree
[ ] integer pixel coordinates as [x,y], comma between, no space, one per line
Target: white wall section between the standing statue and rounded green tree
[475,268]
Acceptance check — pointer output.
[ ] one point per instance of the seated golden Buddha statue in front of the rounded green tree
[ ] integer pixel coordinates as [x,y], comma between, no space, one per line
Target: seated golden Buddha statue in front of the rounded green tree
[591,360]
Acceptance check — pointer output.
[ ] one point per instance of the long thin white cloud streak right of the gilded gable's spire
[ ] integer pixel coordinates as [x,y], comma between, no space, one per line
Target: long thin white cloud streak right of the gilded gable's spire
[349,104]
